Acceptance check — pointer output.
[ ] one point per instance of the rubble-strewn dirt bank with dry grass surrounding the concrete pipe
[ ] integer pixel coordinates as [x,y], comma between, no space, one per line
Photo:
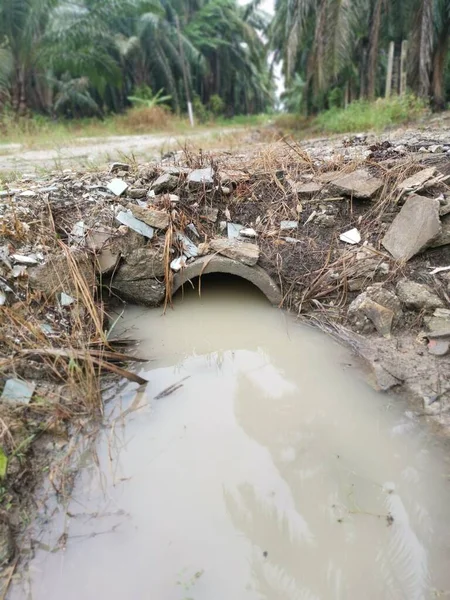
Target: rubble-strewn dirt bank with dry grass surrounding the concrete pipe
[354,233]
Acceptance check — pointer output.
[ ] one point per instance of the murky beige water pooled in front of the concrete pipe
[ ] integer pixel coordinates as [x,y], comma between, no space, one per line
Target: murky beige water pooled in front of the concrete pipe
[273,472]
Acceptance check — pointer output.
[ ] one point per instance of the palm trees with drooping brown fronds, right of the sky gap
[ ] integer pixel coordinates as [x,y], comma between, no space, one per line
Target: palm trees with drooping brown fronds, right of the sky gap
[338,49]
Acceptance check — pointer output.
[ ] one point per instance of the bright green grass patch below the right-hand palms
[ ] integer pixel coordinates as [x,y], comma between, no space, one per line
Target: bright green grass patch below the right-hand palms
[363,115]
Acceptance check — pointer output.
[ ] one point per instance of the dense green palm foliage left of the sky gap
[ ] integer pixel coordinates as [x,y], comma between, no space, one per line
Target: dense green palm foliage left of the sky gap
[88,57]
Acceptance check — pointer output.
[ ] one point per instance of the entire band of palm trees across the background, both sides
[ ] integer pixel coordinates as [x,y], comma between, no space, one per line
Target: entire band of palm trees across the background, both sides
[92,57]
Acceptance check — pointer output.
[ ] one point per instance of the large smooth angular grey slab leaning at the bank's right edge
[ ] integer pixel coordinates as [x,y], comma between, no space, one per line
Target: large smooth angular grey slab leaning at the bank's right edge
[414,228]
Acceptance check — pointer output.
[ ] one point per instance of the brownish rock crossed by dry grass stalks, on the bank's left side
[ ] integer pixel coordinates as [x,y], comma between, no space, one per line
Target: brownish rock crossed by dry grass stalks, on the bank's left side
[56,275]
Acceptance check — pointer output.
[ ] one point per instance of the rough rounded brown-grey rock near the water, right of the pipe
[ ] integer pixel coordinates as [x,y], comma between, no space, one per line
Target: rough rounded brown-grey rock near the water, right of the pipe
[376,308]
